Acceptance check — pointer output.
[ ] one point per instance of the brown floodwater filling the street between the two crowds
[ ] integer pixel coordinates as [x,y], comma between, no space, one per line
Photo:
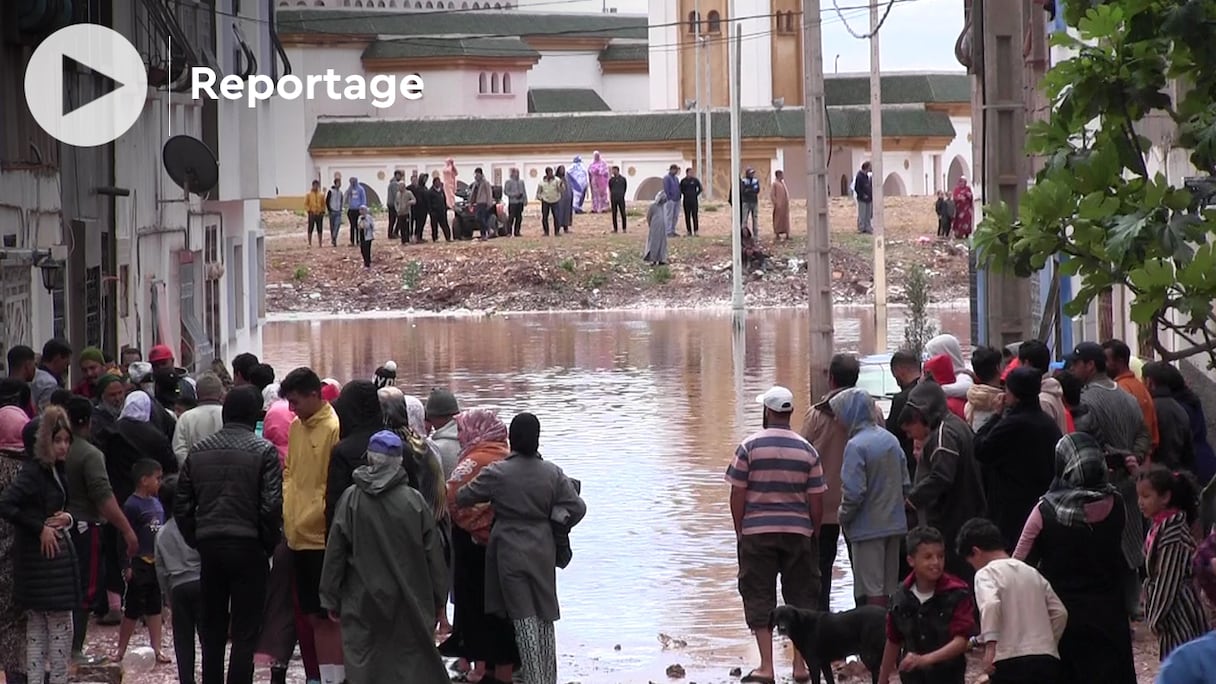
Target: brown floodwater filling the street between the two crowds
[646,410]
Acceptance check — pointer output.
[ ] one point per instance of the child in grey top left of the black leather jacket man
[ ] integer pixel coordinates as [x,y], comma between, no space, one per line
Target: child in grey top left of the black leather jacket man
[178,571]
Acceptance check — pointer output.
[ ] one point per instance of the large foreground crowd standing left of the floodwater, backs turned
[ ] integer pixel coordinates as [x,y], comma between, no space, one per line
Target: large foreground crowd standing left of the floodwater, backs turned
[262,517]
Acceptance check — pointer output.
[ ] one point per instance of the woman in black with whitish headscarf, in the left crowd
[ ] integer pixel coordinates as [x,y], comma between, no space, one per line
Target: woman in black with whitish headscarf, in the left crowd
[133,439]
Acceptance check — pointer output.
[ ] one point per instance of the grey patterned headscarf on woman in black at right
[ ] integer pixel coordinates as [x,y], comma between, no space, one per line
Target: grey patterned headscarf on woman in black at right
[1080,479]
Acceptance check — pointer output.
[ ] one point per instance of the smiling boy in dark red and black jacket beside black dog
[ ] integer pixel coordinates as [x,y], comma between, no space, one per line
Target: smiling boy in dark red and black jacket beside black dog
[931,620]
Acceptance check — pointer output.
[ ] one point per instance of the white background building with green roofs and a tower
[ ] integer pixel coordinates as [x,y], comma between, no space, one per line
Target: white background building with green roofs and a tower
[487,99]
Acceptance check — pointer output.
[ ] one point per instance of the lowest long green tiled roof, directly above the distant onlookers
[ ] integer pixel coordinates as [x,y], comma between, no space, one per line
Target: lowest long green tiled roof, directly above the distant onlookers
[644,127]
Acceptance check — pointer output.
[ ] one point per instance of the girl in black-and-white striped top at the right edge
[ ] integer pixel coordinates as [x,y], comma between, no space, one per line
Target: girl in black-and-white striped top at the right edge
[1170,500]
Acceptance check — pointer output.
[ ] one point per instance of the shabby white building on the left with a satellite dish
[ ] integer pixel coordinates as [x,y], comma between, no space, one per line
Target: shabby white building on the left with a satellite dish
[139,263]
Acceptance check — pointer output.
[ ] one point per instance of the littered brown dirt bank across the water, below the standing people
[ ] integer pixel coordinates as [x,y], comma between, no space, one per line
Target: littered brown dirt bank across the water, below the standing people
[593,268]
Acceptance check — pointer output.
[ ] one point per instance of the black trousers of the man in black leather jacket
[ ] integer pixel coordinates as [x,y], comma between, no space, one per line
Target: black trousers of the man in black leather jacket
[234,590]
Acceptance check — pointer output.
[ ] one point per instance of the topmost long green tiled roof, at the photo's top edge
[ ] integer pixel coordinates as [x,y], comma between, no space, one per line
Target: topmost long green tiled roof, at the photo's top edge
[506,24]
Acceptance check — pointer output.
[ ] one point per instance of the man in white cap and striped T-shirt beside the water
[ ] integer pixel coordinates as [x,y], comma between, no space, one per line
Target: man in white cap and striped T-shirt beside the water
[778,506]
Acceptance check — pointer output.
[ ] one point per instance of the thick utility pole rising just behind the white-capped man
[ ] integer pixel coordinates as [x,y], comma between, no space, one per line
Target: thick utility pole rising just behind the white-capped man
[819,265]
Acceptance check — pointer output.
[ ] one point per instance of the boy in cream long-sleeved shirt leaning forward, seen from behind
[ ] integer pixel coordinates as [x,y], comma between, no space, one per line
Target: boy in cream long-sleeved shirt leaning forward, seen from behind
[1021,616]
